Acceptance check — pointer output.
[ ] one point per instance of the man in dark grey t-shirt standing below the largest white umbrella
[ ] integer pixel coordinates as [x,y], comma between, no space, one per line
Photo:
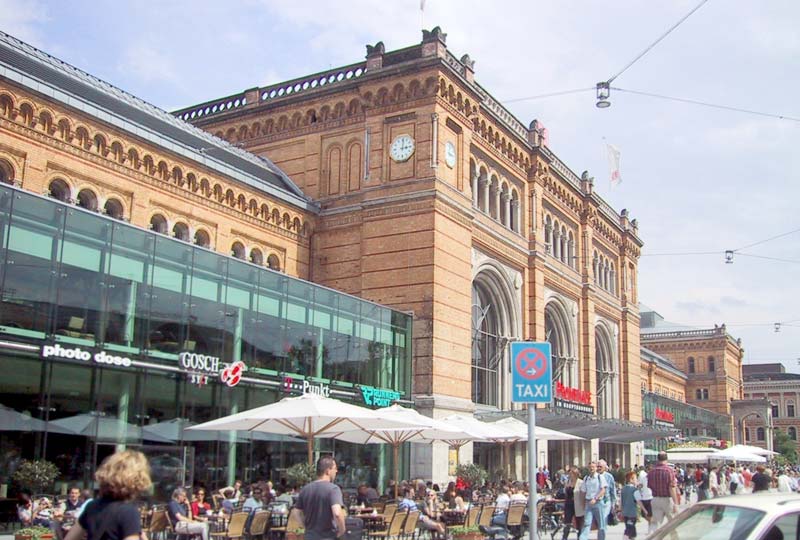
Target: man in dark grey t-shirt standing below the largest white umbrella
[321,503]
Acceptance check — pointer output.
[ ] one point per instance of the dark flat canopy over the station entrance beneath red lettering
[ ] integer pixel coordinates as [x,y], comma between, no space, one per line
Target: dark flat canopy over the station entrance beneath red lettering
[608,430]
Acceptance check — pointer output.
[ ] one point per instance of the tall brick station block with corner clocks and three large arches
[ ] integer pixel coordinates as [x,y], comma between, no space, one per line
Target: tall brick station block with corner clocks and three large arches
[436,200]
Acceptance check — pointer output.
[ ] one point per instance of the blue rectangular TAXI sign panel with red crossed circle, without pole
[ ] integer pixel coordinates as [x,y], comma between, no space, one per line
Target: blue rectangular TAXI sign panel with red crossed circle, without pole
[531,372]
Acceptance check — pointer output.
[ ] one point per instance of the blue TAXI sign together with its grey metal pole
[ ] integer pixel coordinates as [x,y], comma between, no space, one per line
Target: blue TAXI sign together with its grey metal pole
[531,383]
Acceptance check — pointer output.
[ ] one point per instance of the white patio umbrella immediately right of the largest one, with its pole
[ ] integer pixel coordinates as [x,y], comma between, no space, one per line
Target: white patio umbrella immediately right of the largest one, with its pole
[428,430]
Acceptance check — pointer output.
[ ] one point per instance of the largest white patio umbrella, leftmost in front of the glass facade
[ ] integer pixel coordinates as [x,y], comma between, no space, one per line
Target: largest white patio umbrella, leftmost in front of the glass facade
[308,416]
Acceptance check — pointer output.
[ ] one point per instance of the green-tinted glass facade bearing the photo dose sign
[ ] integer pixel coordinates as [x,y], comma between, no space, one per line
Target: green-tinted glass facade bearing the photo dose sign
[99,321]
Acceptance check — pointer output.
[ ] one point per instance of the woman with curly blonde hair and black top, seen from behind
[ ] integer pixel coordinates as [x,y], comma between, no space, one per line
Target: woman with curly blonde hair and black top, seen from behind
[120,479]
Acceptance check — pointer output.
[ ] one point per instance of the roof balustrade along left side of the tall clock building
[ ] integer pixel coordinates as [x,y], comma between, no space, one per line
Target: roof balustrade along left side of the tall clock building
[275,91]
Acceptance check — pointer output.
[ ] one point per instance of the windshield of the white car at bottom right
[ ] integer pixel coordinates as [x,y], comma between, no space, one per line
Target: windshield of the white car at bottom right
[711,522]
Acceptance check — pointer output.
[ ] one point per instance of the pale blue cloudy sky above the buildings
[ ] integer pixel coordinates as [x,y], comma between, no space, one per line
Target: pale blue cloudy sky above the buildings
[697,179]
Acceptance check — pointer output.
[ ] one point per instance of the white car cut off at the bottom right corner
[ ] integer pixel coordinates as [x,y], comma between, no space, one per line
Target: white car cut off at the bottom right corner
[760,516]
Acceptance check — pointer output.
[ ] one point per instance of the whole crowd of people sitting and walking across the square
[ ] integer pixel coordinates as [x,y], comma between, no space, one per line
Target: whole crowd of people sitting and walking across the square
[594,497]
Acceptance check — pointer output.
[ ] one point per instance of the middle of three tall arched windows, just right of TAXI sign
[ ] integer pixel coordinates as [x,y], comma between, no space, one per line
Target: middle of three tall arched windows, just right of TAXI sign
[559,329]
